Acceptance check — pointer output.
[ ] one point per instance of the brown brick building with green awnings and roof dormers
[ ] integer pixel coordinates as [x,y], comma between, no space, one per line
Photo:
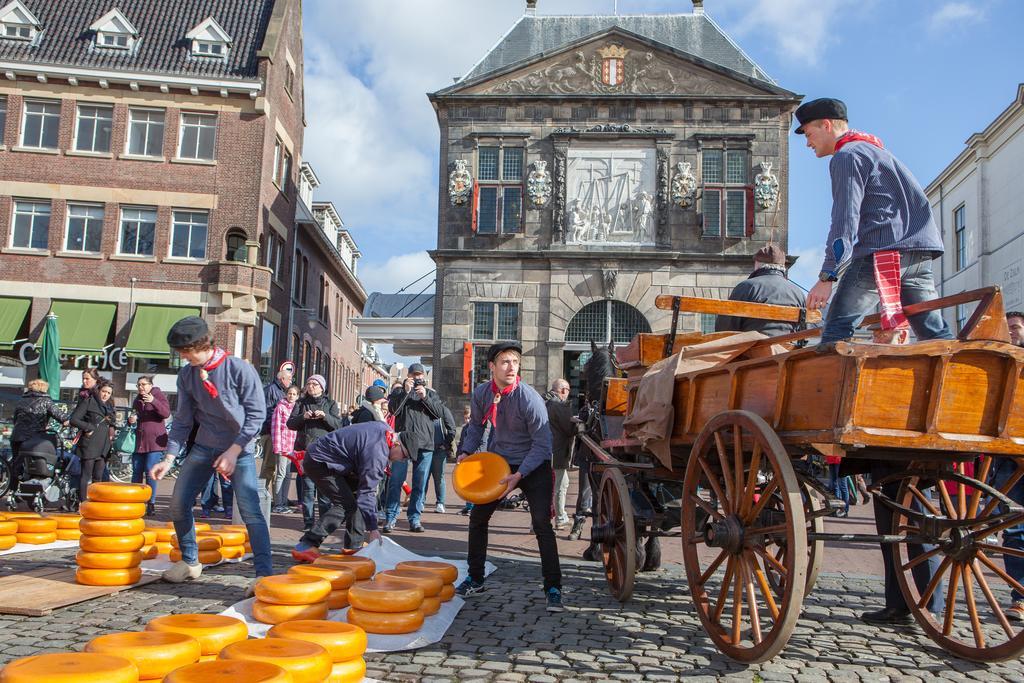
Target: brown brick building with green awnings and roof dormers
[150,153]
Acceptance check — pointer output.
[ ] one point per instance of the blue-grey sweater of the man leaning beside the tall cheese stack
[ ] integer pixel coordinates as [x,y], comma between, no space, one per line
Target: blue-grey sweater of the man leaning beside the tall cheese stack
[234,417]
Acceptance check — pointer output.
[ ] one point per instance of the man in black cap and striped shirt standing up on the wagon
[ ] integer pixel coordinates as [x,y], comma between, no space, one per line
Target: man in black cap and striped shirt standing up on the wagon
[883,237]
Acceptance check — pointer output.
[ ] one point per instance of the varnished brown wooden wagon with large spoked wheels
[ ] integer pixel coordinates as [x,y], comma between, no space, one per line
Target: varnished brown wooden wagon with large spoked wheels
[751,515]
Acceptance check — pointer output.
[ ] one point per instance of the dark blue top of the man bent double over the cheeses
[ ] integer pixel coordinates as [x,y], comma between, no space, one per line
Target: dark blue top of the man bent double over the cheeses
[358,451]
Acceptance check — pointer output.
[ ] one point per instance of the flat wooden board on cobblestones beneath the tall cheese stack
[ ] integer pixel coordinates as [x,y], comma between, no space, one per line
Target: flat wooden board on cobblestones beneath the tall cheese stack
[39,592]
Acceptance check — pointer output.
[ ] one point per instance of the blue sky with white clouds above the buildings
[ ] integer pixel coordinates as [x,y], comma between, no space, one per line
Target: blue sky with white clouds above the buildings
[923,75]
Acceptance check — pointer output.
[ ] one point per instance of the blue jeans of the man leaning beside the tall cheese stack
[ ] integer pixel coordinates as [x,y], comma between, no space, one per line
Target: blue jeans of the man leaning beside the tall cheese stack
[196,473]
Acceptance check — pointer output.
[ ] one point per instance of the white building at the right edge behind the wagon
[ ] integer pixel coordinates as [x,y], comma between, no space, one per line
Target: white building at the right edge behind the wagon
[978,201]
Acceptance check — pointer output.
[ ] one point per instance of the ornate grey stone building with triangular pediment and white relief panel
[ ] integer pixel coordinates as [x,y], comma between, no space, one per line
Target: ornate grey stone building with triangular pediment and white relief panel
[588,165]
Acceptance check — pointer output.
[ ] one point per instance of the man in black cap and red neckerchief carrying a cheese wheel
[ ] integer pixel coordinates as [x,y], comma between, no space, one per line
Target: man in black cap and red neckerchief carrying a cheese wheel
[509,418]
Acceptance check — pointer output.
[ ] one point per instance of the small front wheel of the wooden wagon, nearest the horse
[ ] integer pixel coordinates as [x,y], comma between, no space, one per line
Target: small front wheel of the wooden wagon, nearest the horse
[615,531]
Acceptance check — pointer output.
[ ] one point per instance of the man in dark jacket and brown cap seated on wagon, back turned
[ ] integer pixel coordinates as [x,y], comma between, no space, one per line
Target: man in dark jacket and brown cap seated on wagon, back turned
[767,284]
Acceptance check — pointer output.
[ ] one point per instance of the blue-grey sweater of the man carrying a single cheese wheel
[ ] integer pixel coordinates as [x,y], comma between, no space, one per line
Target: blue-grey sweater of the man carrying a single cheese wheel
[523,436]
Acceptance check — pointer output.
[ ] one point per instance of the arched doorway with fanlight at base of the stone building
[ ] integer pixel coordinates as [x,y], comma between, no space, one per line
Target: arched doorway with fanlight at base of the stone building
[602,322]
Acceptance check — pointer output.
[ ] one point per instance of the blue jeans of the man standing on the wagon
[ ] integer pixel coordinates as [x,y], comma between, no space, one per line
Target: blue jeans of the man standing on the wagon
[858,295]
